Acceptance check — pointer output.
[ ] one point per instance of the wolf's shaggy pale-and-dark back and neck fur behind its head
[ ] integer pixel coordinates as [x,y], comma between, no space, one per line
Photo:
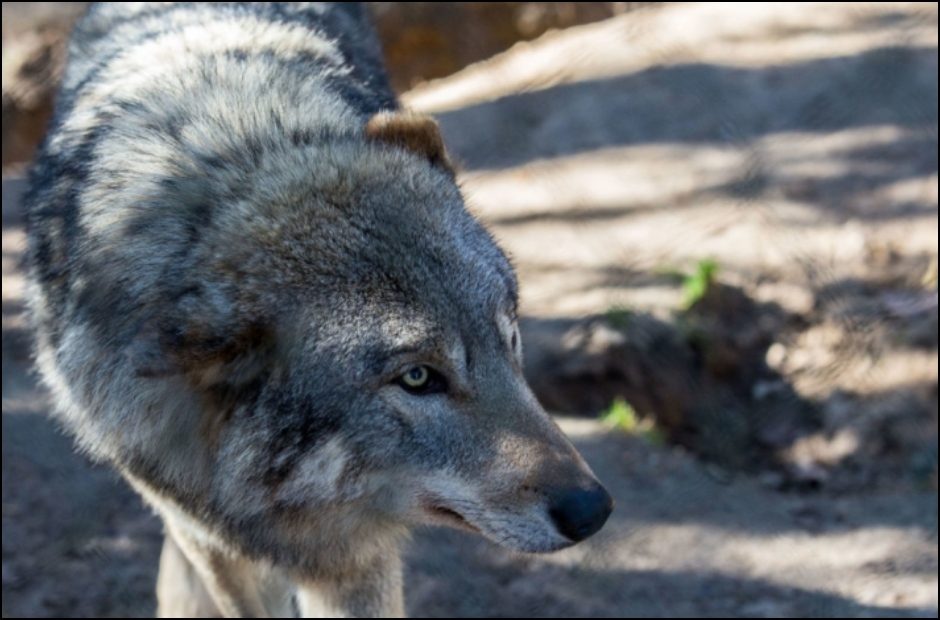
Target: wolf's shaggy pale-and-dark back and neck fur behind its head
[173,123]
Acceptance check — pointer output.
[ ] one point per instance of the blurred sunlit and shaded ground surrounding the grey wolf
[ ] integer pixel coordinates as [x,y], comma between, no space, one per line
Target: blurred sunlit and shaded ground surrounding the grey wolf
[724,220]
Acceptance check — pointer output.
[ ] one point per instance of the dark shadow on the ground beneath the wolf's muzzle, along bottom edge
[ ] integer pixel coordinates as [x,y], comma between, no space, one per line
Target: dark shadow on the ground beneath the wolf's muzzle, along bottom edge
[451,574]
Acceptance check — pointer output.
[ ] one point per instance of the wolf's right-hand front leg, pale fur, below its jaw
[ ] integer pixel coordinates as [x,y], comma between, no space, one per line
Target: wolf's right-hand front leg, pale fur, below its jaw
[375,592]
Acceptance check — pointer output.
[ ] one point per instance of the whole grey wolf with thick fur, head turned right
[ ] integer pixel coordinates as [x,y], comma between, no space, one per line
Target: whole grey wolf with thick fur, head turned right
[258,294]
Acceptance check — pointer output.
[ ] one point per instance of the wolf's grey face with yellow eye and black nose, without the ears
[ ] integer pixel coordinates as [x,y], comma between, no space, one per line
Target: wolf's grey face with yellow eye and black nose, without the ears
[410,378]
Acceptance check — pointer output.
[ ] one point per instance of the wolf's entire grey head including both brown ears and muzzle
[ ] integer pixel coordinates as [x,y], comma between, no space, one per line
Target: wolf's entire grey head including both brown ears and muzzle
[367,357]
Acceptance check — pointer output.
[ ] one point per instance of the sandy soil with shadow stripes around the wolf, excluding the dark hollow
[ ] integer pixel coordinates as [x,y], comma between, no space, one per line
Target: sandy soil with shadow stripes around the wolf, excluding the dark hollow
[794,145]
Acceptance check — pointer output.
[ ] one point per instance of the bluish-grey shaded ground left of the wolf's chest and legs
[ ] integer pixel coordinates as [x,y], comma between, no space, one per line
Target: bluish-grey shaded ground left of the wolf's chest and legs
[69,523]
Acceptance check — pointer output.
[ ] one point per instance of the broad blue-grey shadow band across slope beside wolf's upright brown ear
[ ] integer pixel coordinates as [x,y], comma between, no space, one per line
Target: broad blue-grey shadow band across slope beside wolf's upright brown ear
[879,87]
